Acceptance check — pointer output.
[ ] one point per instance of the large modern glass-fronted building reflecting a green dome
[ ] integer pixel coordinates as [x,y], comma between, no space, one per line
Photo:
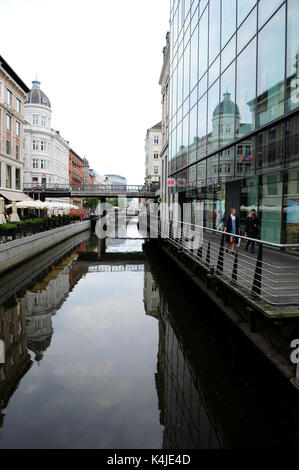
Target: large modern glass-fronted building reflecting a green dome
[234,112]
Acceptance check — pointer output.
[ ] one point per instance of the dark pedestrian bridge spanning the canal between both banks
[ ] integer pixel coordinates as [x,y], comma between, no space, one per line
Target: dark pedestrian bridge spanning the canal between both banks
[91,191]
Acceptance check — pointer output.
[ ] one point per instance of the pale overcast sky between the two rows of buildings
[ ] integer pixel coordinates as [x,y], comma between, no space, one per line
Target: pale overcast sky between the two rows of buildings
[99,62]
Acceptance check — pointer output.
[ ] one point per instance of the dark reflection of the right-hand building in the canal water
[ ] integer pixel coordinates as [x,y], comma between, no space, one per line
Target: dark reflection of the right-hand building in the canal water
[183,413]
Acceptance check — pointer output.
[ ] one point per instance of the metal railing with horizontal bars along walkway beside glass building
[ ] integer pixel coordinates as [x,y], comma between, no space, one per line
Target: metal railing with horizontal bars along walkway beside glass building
[271,275]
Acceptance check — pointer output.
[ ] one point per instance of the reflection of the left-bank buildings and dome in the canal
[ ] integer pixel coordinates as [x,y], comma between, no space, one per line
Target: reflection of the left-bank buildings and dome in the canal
[26,322]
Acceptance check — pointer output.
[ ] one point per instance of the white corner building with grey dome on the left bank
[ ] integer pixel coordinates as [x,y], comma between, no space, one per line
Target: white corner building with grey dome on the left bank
[46,152]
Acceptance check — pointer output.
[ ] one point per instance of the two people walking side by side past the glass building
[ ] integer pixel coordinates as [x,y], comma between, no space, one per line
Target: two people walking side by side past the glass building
[232,227]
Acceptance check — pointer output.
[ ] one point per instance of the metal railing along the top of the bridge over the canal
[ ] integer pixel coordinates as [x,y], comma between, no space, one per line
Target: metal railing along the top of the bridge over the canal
[93,189]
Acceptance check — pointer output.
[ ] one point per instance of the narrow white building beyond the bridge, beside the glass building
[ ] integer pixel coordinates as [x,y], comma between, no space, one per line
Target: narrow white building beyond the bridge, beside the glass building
[153,147]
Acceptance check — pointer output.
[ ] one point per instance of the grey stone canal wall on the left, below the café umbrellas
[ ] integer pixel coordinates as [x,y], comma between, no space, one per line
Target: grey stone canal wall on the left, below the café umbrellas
[18,251]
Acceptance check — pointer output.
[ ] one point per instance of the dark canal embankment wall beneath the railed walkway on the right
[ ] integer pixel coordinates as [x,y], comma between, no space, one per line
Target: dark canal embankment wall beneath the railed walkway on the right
[271,337]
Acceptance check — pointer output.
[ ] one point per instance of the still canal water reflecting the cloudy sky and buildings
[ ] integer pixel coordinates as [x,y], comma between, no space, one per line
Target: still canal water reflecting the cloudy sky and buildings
[121,353]
